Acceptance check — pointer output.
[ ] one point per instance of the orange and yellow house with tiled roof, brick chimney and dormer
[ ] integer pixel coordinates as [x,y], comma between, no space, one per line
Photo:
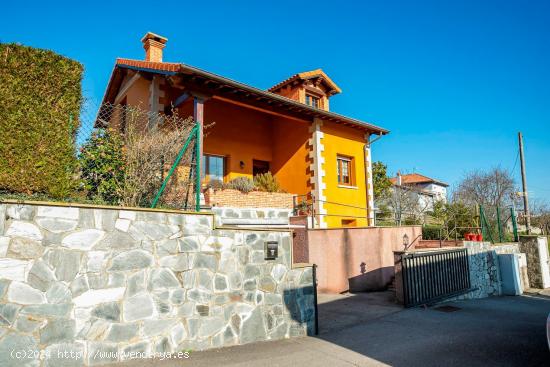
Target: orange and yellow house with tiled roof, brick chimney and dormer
[288,130]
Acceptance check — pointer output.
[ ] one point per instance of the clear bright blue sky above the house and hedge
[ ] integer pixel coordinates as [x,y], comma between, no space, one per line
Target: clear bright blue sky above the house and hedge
[454,81]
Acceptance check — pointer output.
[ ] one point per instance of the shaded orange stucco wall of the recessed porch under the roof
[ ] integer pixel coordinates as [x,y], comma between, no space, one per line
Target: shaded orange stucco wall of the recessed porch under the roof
[242,134]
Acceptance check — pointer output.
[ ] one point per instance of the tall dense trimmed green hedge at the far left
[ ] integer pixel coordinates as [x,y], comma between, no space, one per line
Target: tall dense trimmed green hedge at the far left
[40,92]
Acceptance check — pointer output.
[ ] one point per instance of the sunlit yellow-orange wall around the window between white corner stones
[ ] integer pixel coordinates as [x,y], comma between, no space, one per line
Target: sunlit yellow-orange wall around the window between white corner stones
[339,139]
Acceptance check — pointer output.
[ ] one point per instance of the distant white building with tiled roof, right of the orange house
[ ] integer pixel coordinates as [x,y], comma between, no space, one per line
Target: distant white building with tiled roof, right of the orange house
[425,189]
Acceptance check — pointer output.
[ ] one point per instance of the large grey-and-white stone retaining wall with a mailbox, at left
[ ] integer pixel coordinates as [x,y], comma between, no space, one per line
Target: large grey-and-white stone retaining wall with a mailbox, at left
[105,283]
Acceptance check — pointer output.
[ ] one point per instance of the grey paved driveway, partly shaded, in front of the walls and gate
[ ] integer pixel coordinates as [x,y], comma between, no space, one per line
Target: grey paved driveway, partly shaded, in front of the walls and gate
[505,331]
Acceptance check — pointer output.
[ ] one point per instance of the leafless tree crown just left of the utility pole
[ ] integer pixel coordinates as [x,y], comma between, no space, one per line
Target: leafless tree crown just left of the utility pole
[487,188]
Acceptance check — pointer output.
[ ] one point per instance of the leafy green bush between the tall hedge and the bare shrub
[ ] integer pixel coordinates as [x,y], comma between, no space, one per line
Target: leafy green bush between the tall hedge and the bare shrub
[102,165]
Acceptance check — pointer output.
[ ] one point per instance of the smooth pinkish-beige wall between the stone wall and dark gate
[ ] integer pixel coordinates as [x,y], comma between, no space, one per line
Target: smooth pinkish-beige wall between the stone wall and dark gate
[356,259]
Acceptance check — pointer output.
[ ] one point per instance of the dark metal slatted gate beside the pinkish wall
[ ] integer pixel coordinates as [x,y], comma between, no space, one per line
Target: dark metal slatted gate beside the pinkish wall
[435,275]
